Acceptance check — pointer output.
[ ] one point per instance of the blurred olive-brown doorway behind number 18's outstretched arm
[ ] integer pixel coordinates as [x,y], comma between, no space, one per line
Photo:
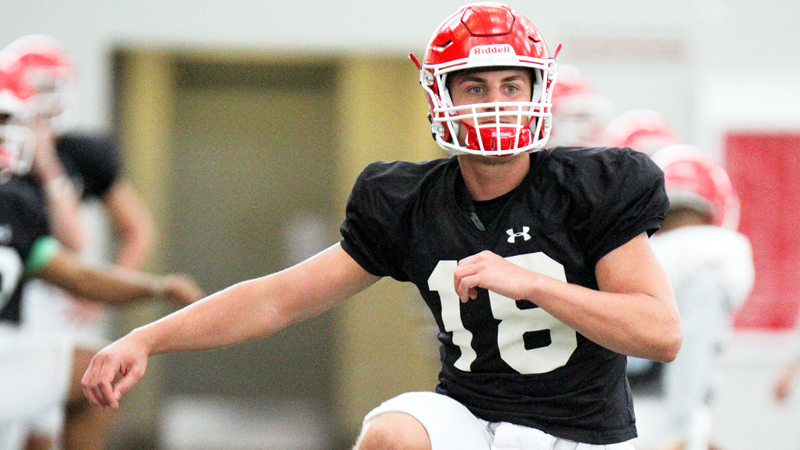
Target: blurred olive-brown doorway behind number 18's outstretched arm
[247,172]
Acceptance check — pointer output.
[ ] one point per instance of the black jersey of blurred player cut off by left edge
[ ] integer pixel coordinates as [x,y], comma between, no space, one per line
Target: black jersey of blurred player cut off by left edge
[22,223]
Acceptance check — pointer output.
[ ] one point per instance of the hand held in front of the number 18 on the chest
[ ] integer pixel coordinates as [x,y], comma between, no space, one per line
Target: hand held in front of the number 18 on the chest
[489,271]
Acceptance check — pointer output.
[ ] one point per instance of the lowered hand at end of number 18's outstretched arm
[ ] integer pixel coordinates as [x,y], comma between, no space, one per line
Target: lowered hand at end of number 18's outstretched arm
[113,371]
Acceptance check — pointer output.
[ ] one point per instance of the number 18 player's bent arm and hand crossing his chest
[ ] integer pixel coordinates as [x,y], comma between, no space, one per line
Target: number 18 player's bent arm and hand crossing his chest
[633,313]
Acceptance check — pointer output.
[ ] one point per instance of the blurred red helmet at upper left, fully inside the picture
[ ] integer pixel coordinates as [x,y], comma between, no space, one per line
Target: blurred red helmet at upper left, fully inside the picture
[47,76]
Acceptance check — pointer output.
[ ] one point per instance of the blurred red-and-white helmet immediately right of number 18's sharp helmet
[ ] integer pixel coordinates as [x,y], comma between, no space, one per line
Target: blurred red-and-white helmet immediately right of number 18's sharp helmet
[580,114]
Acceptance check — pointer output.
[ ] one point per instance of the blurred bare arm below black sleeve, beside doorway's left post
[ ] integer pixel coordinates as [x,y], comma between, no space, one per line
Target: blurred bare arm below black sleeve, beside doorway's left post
[132,224]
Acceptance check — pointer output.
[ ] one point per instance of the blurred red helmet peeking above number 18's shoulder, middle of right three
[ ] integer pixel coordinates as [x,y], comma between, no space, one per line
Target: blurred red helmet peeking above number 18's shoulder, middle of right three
[643,130]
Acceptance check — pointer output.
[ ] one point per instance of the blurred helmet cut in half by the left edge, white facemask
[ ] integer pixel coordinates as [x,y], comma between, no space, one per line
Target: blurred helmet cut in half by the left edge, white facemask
[16,140]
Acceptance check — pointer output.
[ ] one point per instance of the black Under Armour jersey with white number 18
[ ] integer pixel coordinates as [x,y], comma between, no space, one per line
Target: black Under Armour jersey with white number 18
[509,360]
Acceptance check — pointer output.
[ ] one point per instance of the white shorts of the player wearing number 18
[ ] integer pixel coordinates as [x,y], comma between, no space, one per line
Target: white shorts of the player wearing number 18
[451,426]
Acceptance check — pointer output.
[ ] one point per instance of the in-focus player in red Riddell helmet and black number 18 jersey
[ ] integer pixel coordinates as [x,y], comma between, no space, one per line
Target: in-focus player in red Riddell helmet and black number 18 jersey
[536,264]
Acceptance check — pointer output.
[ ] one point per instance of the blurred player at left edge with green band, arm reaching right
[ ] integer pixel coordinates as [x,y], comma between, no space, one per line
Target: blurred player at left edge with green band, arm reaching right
[38,364]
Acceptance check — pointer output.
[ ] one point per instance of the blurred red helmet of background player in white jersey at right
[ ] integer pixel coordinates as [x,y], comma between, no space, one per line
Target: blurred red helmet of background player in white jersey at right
[694,180]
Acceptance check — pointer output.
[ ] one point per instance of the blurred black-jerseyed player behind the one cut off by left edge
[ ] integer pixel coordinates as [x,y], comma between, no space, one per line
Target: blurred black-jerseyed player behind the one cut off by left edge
[68,167]
